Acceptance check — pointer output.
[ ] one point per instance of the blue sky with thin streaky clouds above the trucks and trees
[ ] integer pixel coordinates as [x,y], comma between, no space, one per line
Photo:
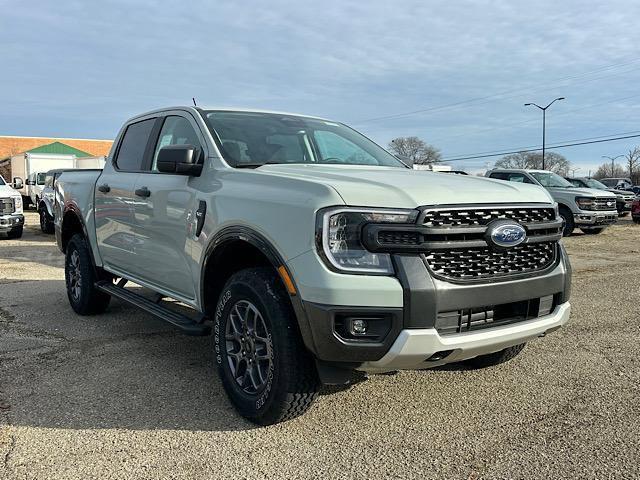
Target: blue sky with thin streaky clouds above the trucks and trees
[455,74]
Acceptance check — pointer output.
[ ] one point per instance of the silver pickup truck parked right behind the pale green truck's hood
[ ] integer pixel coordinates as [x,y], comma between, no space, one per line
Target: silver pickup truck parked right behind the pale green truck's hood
[590,210]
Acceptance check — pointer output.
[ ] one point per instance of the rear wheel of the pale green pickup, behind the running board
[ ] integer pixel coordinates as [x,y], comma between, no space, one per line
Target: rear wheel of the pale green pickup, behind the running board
[80,278]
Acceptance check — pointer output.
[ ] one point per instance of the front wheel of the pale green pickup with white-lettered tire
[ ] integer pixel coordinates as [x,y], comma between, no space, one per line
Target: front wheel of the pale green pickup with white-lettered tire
[265,369]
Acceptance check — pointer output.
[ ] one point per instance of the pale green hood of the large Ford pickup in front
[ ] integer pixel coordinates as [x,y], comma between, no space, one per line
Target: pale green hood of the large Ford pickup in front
[360,185]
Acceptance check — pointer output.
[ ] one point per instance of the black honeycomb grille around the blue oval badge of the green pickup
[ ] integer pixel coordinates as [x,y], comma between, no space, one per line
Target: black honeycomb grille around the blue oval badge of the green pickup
[452,240]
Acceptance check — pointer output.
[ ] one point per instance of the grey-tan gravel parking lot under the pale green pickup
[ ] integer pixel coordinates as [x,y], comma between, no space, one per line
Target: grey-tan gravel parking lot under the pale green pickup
[122,395]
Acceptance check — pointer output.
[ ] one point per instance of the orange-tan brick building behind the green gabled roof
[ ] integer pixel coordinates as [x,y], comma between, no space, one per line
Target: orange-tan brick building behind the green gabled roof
[10,146]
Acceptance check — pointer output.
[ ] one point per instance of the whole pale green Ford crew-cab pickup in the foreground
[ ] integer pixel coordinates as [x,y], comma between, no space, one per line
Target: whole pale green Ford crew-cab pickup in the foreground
[310,252]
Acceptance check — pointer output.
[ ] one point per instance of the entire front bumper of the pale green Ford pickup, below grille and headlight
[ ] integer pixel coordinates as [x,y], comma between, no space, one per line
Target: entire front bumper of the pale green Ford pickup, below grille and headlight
[417,317]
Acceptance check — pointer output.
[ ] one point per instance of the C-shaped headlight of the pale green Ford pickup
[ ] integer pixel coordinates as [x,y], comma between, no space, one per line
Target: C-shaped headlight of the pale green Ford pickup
[339,238]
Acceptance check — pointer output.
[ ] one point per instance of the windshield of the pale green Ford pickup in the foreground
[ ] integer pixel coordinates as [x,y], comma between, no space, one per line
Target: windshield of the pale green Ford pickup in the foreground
[249,139]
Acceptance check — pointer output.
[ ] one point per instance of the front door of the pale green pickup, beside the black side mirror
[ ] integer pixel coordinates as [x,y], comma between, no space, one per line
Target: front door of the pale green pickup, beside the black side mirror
[166,215]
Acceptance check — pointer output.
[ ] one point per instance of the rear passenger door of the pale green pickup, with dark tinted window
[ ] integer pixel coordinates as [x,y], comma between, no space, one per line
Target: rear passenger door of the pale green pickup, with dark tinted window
[115,200]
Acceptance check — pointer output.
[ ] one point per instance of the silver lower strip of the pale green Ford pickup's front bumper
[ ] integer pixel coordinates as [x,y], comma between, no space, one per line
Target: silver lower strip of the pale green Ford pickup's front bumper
[413,348]
